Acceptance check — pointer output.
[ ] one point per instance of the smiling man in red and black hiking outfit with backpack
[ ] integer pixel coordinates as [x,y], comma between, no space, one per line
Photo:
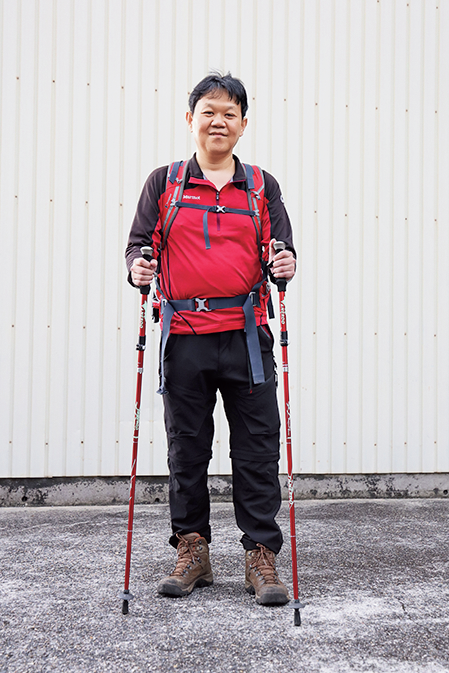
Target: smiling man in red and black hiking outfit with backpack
[211,261]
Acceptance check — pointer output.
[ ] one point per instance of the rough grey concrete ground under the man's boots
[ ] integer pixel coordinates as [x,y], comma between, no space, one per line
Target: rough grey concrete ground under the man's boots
[373,573]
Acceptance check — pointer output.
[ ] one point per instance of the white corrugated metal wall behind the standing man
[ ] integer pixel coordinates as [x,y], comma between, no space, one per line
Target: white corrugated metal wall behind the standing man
[349,109]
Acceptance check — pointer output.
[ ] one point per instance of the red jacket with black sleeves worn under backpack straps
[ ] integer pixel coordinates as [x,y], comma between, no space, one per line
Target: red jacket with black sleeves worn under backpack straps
[230,266]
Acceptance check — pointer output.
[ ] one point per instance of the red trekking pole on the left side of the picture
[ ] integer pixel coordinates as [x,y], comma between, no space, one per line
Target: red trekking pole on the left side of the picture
[126,596]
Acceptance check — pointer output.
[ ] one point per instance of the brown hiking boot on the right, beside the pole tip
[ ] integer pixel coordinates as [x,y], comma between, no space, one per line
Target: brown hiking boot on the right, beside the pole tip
[262,578]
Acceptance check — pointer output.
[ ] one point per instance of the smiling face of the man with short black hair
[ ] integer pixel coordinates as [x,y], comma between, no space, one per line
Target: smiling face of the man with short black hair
[216,124]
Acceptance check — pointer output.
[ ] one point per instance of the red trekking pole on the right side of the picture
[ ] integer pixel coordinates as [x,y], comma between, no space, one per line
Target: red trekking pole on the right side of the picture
[282,286]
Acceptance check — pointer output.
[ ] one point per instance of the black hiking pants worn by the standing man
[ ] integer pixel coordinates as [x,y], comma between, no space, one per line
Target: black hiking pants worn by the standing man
[196,366]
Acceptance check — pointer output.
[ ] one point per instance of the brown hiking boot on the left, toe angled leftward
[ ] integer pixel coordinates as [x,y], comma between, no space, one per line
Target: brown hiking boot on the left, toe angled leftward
[192,569]
